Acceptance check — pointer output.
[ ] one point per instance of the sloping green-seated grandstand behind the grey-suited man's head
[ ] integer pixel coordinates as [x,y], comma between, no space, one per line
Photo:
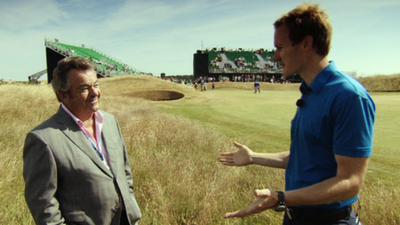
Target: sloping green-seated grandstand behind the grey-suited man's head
[106,66]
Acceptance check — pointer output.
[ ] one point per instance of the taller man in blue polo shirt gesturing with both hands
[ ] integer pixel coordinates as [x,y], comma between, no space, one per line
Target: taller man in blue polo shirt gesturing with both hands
[331,133]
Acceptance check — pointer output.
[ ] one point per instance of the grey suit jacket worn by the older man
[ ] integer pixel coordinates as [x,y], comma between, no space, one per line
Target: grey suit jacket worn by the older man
[67,183]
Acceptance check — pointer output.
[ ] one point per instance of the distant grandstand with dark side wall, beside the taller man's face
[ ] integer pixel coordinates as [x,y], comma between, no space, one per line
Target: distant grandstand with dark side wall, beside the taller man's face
[230,63]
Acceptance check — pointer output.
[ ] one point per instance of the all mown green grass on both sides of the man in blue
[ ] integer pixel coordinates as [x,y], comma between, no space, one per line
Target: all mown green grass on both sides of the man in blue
[264,120]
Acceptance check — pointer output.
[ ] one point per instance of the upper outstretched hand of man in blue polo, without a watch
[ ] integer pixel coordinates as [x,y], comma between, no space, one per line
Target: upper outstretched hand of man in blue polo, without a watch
[241,157]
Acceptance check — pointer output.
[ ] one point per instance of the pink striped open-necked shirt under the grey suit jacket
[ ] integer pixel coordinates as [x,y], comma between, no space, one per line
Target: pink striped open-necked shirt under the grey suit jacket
[97,143]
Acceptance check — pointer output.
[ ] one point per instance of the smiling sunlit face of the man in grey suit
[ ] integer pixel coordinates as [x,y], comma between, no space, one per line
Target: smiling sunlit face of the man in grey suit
[84,96]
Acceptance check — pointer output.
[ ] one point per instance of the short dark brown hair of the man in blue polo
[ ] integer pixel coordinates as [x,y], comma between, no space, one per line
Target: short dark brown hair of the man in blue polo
[308,19]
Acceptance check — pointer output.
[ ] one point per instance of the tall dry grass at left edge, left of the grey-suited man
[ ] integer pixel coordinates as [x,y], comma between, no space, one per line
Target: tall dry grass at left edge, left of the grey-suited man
[21,108]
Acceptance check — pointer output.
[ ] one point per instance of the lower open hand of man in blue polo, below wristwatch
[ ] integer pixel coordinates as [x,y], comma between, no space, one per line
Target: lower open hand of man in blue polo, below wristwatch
[266,200]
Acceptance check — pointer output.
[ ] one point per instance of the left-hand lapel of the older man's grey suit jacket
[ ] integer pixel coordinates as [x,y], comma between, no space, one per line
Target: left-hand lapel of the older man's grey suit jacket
[74,134]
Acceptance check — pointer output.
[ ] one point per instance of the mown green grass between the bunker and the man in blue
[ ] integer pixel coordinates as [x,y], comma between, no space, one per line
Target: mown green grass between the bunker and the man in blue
[262,119]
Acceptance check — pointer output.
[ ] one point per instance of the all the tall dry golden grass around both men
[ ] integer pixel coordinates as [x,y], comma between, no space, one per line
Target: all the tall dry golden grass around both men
[177,177]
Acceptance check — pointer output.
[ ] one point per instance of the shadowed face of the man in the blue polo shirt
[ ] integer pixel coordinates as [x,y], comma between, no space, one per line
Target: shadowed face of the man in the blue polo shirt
[286,54]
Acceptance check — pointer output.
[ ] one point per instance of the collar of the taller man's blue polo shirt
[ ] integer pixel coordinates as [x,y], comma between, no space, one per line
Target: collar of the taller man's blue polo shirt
[321,79]
